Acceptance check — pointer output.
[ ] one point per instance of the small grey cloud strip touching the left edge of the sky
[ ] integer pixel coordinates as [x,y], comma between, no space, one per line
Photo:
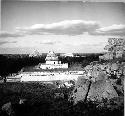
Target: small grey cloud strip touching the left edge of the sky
[4,34]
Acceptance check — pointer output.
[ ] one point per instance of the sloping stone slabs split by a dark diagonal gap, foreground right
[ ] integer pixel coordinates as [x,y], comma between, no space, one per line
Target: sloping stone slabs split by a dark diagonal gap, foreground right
[93,91]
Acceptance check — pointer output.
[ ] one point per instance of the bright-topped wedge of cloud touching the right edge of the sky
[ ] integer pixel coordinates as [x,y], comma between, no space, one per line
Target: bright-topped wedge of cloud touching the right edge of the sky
[114,30]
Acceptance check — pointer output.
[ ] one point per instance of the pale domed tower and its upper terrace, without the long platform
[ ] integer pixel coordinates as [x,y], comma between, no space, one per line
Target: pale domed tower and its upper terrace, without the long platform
[52,62]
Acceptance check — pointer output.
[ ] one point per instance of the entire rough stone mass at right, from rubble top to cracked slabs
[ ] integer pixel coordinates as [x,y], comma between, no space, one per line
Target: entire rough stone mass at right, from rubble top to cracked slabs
[102,81]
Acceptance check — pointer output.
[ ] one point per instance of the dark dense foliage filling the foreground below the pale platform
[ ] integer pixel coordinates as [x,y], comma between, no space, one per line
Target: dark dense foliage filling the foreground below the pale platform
[41,100]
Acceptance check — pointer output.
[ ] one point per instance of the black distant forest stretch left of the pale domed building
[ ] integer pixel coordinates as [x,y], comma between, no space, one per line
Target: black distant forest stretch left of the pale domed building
[13,64]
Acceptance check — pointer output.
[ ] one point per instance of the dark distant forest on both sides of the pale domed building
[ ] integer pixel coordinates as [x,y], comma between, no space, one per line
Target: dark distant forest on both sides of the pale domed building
[13,63]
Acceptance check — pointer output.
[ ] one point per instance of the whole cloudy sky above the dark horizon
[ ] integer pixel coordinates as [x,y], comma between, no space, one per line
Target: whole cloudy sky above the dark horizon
[63,27]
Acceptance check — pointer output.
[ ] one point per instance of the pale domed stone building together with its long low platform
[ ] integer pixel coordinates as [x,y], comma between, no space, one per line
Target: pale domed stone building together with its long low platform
[52,62]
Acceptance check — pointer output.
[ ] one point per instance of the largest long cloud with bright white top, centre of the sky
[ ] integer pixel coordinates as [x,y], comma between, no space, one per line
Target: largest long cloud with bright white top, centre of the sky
[67,27]
